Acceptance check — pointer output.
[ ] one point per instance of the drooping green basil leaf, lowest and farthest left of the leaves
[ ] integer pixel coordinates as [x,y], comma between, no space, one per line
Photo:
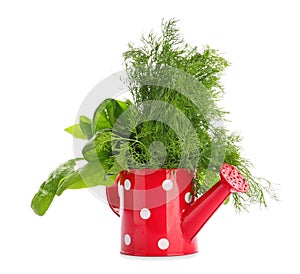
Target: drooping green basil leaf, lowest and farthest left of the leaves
[44,197]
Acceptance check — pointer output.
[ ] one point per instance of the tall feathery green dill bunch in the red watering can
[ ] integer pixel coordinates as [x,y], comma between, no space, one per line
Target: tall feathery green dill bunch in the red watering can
[169,50]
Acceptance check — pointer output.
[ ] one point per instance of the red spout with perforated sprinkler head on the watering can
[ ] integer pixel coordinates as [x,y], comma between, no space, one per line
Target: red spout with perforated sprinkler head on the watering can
[199,212]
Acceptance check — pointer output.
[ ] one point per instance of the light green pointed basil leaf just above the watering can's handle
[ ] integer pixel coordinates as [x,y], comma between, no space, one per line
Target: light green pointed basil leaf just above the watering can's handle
[90,175]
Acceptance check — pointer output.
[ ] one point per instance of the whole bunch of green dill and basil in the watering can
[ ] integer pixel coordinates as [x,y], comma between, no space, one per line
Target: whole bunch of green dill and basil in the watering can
[173,122]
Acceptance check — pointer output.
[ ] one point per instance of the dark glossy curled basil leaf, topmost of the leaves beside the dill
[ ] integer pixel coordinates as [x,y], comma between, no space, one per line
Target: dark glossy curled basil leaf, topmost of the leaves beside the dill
[107,113]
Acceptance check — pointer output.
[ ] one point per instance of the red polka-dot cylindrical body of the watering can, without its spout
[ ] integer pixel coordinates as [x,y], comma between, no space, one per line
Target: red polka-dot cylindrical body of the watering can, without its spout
[151,205]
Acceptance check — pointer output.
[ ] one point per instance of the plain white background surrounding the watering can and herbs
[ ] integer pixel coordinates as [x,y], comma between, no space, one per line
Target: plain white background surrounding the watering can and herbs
[52,53]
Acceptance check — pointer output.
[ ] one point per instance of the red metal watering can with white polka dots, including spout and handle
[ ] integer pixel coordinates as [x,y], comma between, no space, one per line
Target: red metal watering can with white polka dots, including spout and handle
[160,215]
